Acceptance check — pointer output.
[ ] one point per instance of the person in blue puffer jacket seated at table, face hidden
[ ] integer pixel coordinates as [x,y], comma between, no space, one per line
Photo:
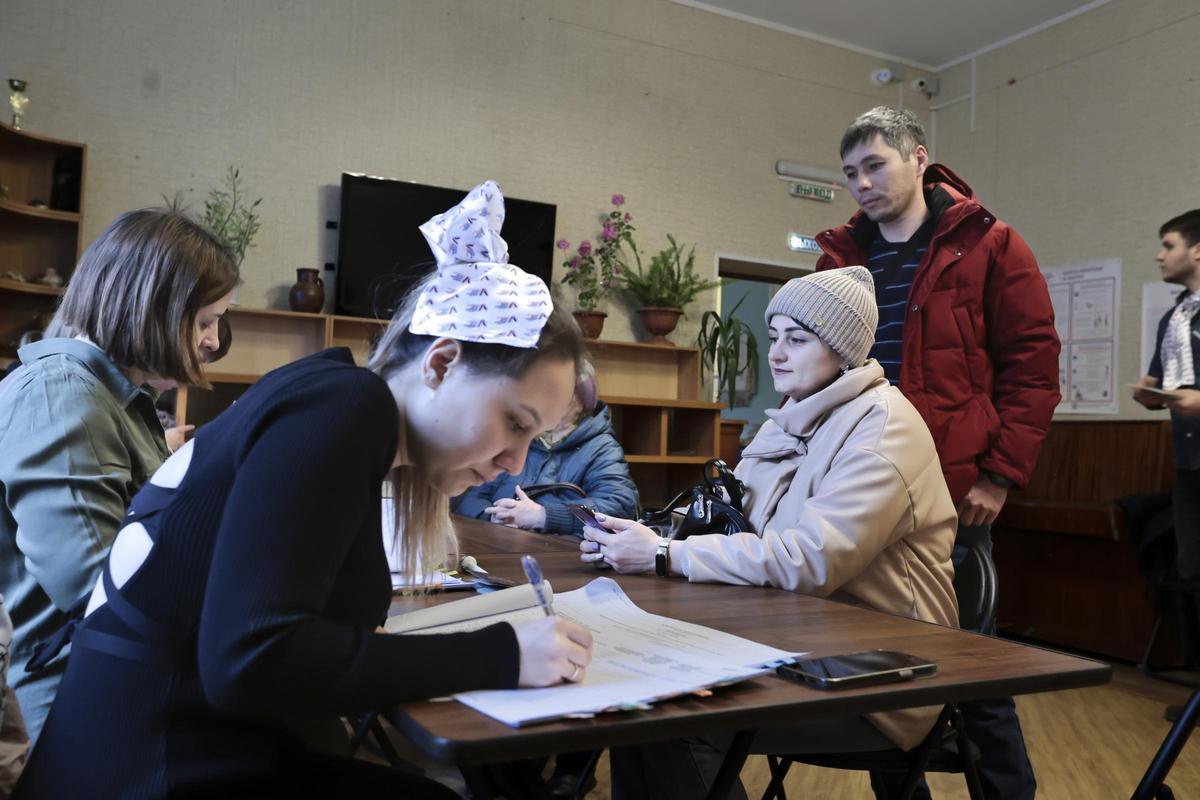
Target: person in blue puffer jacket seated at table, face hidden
[579,461]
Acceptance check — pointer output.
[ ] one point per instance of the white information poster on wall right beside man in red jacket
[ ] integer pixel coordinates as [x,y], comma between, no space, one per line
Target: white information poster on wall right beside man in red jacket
[1087,308]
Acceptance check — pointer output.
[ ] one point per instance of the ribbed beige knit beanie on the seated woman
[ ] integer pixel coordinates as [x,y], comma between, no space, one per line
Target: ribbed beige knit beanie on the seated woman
[837,305]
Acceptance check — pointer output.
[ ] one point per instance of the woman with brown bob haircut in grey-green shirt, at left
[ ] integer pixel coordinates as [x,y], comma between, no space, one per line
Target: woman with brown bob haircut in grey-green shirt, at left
[79,430]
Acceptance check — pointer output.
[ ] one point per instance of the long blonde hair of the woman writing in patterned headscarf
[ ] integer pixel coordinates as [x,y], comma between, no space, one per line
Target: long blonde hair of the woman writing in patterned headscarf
[423,513]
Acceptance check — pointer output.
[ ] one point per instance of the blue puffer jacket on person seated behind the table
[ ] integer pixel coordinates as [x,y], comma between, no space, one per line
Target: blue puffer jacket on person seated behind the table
[590,458]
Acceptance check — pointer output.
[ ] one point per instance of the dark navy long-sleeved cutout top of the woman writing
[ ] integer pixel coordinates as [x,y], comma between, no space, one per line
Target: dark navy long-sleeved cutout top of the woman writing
[268,570]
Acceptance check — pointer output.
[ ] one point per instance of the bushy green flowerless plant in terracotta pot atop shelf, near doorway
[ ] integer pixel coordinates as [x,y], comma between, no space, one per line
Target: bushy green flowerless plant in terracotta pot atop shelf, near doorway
[664,290]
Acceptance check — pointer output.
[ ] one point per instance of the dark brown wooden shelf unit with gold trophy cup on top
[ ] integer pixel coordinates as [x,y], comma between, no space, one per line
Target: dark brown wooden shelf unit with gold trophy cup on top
[34,240]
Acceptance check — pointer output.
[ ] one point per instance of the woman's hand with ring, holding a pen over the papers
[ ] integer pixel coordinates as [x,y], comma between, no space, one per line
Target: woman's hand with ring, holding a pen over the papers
[553,649]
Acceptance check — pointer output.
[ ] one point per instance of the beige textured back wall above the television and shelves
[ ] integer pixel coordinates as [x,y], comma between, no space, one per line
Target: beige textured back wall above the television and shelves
[562,101]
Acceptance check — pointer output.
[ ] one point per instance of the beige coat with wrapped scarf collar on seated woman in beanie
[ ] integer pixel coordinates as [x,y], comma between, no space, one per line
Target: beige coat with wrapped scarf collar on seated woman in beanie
[848,496]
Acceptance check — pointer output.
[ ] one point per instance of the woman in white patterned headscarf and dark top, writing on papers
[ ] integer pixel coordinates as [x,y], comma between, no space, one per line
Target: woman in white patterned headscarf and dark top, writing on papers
[245,590]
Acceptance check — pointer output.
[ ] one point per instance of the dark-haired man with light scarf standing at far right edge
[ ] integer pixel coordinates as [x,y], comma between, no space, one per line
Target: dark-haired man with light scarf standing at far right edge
[1175,369]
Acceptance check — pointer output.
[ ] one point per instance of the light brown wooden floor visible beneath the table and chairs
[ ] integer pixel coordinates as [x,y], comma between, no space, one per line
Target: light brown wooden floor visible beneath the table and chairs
[1089,744]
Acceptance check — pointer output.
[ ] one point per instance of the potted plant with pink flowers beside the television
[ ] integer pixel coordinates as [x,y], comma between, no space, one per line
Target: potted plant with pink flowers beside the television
[593,270]
